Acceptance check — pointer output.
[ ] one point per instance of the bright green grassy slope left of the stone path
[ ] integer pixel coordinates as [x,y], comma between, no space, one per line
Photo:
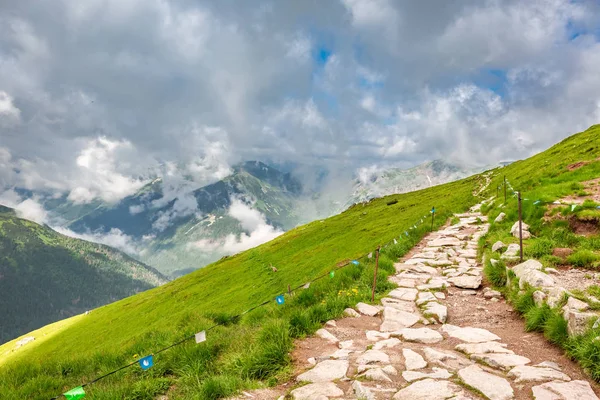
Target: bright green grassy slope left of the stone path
[110,335]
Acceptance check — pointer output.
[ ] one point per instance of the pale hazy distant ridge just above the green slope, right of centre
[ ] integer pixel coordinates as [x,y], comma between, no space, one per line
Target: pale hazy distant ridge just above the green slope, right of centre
[397,180]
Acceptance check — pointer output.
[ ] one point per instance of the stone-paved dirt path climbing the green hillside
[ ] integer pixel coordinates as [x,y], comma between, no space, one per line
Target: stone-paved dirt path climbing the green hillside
[440,335]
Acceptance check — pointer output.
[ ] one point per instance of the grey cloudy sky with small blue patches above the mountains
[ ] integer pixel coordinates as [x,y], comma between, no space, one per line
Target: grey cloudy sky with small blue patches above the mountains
[95,94]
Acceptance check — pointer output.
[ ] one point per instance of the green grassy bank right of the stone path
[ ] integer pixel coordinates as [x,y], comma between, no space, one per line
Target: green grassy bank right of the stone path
[547,177]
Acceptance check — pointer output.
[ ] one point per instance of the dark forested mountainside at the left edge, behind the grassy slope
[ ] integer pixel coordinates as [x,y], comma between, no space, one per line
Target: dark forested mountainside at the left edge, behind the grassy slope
[45,276]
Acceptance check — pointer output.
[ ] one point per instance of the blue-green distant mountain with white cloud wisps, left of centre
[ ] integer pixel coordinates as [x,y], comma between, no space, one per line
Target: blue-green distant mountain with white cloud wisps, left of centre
[166,225]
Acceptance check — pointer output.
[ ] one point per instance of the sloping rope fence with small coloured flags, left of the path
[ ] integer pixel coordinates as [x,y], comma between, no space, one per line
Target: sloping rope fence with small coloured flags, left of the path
[147,362]
